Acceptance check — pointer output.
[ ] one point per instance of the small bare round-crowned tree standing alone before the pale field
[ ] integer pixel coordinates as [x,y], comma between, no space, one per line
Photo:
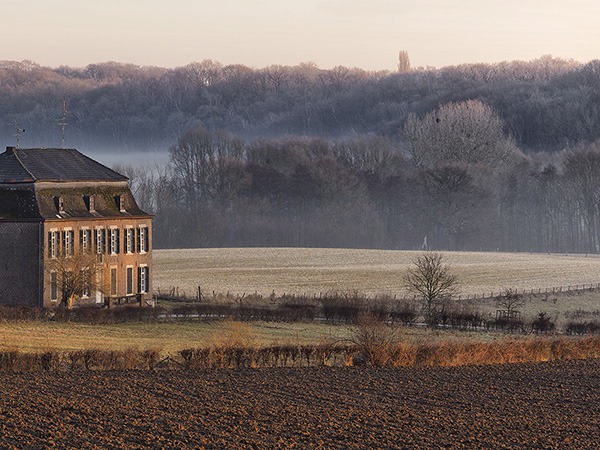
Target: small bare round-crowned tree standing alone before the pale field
[432,281]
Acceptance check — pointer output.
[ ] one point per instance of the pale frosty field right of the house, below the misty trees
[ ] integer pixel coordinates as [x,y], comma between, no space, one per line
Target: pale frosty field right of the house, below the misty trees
[370,272]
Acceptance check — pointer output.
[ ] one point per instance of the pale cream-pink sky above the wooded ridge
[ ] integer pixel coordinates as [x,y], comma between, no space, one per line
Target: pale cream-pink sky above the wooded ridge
[258,33]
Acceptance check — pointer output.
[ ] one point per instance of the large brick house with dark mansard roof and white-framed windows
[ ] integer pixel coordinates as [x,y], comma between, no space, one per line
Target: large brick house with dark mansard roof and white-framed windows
[59,211]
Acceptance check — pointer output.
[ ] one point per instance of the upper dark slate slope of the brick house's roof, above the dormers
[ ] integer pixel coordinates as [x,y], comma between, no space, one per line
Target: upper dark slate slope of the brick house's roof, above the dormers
[22,165]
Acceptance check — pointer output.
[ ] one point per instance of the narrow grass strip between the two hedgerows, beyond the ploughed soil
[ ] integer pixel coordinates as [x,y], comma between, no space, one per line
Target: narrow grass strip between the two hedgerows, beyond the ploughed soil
[172,337]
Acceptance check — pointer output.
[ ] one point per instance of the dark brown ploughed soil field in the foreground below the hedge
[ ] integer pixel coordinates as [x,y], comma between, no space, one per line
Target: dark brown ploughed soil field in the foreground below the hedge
[511,406]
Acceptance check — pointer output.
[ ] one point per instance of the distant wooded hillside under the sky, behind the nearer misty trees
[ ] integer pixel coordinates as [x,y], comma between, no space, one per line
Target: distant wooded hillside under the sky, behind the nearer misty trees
[546,104]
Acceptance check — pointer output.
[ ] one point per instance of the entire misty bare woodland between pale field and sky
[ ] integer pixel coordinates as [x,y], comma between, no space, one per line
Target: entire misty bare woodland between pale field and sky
[502,156]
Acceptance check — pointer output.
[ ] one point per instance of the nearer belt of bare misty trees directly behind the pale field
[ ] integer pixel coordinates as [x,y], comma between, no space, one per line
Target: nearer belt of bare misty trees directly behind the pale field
[480,193]
